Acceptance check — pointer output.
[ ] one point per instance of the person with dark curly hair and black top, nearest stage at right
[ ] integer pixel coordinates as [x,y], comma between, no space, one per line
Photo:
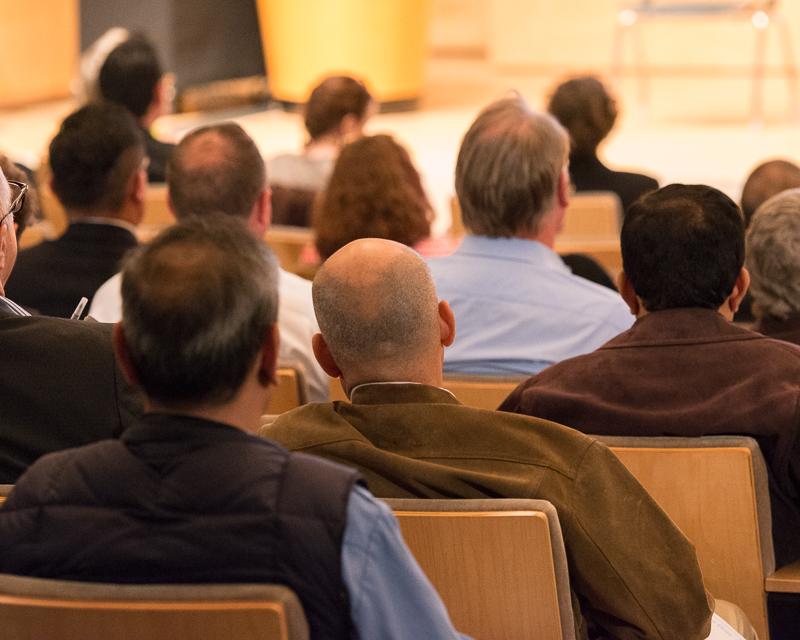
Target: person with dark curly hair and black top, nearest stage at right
[584,107]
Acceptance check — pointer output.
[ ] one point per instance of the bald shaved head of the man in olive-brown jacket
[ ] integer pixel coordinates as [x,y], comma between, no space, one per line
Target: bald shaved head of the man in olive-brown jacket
[376,306]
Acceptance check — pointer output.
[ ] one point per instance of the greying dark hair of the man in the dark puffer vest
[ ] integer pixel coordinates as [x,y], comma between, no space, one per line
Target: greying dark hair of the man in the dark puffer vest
[197,303]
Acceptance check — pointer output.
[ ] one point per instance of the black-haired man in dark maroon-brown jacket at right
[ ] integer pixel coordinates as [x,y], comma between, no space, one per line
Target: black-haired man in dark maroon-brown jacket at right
[684,369]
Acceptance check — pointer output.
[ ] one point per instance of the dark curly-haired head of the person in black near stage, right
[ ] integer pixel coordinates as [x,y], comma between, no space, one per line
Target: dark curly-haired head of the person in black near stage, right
[587,111]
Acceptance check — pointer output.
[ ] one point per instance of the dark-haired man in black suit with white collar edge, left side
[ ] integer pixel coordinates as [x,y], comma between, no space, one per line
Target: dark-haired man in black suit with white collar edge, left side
[97,162]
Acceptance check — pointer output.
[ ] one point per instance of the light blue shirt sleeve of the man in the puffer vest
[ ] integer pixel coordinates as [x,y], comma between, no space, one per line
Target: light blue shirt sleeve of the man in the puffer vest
[390,596]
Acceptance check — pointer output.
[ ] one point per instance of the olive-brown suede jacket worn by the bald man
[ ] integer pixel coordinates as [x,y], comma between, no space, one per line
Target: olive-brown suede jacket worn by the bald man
[633,574]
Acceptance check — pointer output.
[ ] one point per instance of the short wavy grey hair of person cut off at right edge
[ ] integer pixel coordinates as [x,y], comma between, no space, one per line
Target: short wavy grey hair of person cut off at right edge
[773,256]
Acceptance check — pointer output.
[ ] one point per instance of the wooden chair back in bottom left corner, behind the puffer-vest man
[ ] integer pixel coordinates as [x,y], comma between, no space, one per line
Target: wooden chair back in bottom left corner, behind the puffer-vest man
[61,610]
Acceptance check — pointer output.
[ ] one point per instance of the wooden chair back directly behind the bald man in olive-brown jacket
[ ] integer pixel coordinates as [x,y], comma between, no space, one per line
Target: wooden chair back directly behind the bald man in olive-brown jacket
[499,565]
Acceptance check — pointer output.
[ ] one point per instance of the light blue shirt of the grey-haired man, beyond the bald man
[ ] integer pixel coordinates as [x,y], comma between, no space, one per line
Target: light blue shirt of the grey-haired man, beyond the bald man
[519,308]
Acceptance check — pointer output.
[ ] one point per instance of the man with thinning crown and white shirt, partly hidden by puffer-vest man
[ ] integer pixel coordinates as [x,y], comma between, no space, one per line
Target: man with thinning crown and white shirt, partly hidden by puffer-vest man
[218,169]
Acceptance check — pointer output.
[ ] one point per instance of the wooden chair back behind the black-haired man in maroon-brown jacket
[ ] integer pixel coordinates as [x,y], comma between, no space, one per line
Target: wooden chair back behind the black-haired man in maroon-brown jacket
[715,490]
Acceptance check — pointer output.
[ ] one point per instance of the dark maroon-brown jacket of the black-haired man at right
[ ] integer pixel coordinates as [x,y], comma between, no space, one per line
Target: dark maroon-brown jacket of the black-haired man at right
[687,372]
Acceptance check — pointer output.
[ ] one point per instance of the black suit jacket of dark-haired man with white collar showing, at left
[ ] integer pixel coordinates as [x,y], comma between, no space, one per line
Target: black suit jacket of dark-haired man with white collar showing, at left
[51,277]
